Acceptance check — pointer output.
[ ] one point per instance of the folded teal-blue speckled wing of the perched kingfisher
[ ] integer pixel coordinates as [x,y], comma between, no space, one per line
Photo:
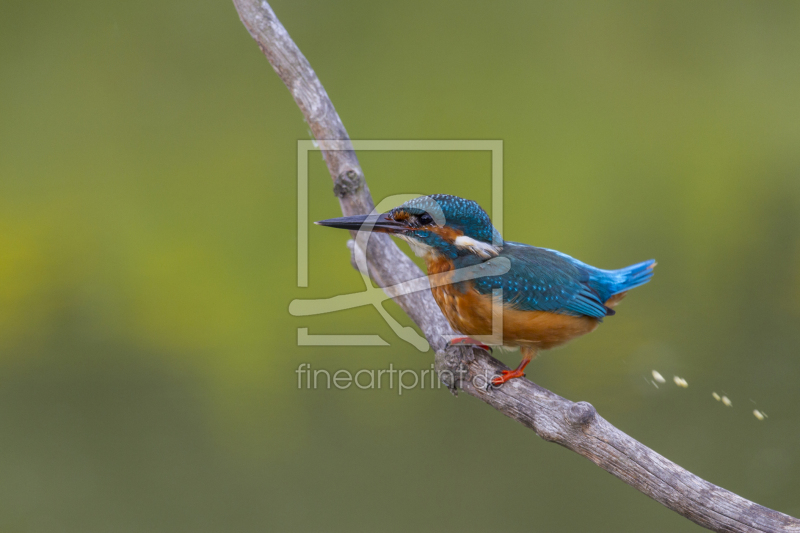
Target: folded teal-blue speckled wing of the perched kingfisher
[543,280]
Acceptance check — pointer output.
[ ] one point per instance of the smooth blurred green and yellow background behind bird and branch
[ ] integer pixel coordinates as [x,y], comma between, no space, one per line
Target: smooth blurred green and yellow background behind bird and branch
[148,258]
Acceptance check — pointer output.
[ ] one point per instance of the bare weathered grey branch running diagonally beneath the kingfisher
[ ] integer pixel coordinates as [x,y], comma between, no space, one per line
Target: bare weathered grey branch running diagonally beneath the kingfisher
[576,426]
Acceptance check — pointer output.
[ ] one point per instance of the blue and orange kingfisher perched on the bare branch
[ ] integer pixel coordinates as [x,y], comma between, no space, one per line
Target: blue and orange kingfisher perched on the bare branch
[548,297]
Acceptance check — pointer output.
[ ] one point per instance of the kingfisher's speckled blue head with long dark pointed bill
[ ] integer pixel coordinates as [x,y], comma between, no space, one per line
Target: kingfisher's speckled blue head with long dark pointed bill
[436,225]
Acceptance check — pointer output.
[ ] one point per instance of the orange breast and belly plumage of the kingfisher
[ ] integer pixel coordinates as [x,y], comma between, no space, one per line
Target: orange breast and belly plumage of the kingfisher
[470,313]
